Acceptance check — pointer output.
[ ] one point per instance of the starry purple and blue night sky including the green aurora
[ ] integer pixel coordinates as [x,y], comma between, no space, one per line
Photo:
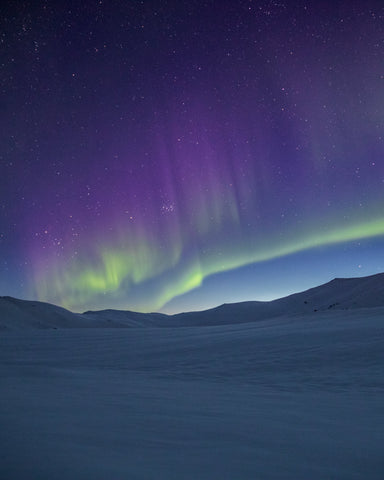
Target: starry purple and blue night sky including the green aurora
[176,155]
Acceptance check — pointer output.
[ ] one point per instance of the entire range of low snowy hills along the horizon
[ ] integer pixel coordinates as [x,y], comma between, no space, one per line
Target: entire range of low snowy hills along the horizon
[338,294]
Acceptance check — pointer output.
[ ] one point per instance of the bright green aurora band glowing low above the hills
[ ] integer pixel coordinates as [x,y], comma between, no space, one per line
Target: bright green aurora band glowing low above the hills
[118,269]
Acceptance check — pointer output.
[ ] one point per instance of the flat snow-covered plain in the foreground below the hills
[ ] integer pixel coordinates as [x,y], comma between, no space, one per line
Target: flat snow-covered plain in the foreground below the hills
[298,397]
